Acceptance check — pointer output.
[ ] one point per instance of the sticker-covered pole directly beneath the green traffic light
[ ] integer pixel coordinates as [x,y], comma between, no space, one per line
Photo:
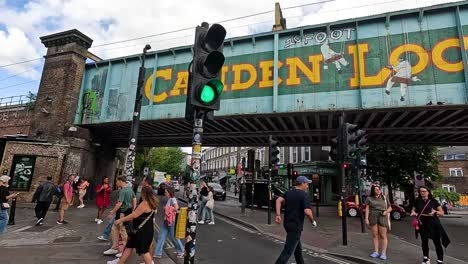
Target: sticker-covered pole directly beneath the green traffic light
[193,196]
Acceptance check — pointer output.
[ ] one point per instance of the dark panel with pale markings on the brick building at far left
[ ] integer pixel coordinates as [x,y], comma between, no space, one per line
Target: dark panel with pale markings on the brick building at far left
[22,172]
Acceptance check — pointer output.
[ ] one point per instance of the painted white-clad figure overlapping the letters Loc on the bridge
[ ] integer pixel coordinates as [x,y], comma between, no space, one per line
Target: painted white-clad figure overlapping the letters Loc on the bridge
[402,75]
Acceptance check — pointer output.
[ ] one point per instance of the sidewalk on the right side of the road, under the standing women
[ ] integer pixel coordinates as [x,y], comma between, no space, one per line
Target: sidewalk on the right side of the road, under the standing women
[327,237]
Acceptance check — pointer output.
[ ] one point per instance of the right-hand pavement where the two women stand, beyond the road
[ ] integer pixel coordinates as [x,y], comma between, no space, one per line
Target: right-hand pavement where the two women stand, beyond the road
[327,238]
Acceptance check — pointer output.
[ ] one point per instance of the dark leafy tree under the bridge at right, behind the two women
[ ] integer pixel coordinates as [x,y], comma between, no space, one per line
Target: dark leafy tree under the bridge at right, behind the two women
[395,165]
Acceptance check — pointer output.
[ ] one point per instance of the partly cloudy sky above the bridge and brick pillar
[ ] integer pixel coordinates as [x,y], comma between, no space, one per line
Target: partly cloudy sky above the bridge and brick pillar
[22,22]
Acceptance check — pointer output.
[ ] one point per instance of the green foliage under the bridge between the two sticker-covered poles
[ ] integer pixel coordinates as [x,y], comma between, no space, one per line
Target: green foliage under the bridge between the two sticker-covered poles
[166,159]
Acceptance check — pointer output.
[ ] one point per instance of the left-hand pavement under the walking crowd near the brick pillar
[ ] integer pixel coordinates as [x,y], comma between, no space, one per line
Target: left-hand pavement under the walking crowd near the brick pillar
[71,243]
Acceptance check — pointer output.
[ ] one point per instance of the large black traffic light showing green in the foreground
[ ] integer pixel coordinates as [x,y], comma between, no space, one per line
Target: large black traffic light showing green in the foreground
[205,84]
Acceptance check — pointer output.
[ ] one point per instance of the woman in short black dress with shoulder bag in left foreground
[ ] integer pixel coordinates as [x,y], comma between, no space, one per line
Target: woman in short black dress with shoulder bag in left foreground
[142,221]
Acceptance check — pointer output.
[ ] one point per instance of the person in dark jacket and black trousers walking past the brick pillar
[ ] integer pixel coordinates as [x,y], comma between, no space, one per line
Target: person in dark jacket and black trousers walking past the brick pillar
[43,197]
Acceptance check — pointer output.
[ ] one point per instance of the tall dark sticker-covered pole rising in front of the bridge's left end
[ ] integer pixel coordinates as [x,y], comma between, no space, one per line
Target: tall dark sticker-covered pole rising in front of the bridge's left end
[131,151]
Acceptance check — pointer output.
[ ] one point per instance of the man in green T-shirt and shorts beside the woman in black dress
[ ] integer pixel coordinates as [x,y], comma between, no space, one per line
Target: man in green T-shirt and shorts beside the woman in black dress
[124,206]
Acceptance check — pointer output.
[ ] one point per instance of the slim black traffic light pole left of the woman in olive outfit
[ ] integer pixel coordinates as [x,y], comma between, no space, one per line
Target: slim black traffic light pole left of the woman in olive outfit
[342,155]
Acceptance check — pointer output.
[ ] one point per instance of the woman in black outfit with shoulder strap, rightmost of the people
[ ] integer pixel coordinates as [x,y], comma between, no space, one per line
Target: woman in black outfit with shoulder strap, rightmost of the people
[427,209]
